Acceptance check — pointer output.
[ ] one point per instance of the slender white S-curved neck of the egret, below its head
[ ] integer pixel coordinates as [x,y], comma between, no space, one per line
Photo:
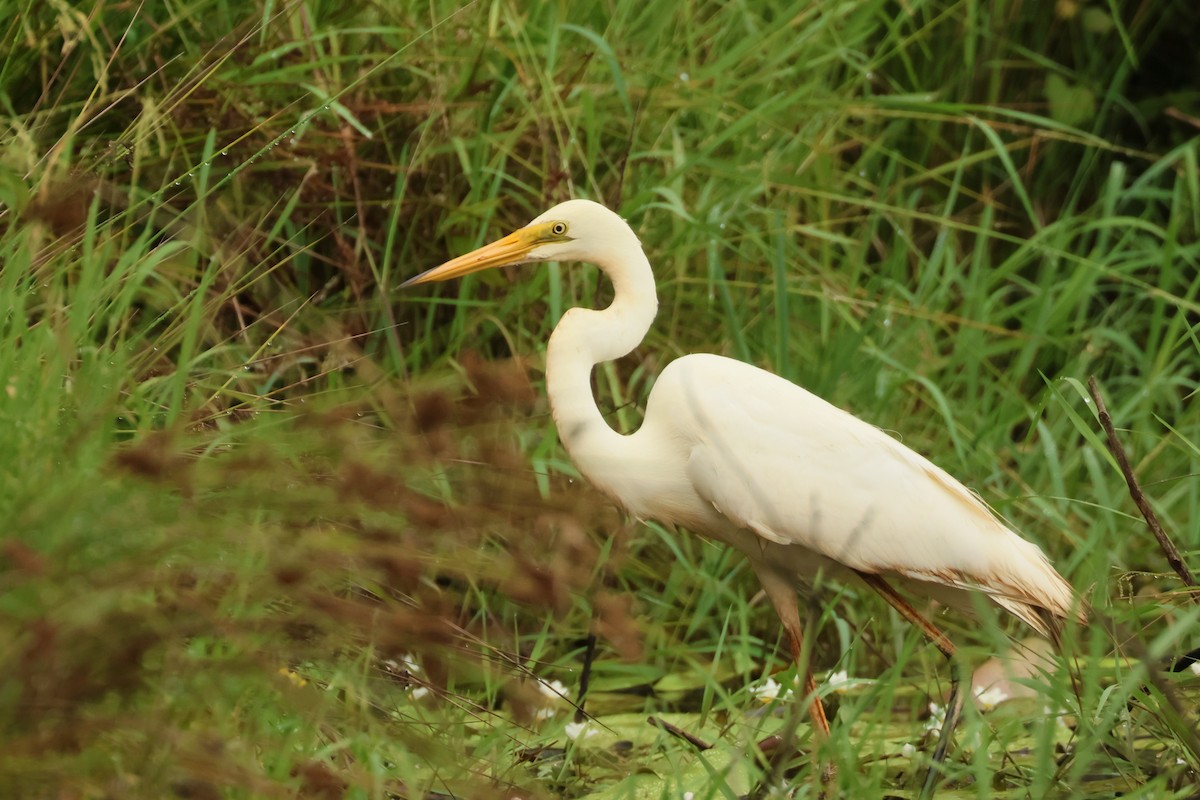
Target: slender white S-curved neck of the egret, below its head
[586,338]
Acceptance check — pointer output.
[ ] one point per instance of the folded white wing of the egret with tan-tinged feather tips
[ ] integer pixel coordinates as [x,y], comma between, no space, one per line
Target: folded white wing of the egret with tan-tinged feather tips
[787,465]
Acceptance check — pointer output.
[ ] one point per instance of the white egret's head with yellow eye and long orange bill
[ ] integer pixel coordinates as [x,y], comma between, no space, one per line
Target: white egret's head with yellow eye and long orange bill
[572,231]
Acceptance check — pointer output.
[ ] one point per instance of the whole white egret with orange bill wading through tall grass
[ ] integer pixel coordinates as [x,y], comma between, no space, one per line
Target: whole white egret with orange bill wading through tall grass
[748,459]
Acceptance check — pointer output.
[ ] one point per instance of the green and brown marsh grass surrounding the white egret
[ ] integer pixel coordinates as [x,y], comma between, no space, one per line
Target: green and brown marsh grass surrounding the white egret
[275,530]
